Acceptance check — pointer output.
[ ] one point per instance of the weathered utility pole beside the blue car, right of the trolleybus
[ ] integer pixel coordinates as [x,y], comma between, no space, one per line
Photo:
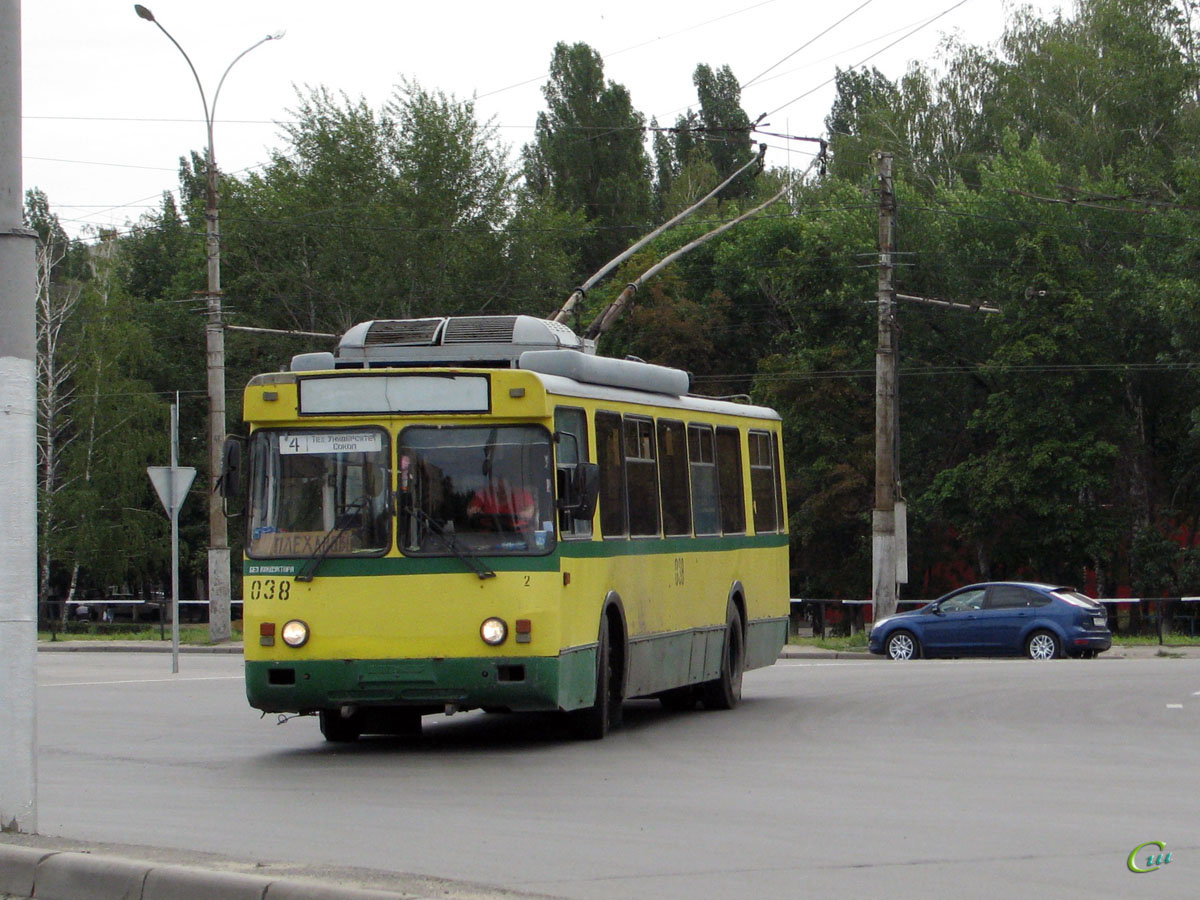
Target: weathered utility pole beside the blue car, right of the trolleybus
[884,519]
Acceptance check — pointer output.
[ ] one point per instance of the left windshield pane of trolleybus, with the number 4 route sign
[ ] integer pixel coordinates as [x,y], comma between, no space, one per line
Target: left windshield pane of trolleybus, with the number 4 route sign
[320,493]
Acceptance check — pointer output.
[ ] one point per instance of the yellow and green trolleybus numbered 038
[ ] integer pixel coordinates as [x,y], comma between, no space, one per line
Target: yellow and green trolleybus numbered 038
[466,513]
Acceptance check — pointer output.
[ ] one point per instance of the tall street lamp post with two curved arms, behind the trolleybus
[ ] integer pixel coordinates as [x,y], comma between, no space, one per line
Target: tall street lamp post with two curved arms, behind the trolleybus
[214,334]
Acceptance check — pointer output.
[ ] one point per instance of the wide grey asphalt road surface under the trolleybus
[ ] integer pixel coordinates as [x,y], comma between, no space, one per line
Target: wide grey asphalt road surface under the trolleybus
[832,779]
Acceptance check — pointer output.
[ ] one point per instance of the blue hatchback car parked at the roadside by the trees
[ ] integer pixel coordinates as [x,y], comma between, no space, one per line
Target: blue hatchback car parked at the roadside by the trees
[998,620]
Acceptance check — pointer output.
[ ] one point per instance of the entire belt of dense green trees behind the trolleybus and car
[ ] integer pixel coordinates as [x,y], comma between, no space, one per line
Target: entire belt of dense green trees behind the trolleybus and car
[1053,176]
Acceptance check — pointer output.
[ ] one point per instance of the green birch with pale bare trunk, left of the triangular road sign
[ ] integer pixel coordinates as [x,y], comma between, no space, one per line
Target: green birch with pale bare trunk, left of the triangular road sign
[95,419]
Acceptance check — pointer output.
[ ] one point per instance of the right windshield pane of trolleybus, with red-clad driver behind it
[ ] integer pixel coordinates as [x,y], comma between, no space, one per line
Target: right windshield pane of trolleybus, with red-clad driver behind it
[476,490]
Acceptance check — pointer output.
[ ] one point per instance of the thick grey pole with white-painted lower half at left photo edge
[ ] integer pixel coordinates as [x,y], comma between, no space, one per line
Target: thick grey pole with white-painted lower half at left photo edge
[19,449]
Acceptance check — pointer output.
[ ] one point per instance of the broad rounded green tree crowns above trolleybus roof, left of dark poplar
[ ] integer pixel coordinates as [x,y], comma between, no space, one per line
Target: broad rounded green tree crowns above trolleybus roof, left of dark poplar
[401,213]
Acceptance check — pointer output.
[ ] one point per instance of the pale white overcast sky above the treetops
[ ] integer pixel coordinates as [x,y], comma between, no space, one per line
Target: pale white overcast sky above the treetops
[110,105]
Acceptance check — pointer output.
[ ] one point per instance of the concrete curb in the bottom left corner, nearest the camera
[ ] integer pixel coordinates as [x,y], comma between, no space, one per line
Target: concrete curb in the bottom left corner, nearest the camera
[68,875]
